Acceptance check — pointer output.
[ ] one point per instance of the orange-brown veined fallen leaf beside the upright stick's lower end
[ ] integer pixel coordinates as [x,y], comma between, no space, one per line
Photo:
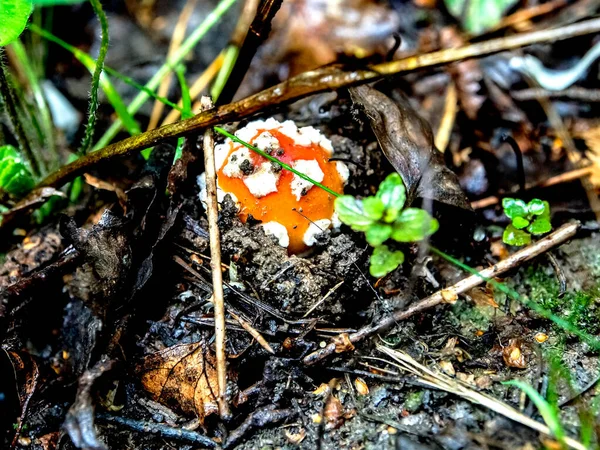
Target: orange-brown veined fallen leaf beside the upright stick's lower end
[184,376]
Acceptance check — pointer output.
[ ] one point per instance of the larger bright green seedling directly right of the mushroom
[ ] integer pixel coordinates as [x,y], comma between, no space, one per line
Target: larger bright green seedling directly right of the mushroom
[382,217]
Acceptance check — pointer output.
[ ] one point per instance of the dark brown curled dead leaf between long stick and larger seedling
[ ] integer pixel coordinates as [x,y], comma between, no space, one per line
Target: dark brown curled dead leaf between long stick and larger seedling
[406,140]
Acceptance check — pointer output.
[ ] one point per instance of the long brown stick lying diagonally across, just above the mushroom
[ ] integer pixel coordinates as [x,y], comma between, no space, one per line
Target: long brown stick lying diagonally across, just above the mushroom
[309,83]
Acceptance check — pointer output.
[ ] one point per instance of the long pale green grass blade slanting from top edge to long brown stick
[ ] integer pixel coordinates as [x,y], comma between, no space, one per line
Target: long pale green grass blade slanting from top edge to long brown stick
[168,66]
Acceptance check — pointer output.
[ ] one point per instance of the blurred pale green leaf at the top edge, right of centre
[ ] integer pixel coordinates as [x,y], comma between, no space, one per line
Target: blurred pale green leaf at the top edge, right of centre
[478,16]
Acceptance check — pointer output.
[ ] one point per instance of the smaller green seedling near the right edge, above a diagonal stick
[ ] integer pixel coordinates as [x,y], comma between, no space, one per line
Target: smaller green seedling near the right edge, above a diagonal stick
[526,219]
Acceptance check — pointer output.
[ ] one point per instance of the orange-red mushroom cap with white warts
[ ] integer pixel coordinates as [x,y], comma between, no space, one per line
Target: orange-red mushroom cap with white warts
[290,208]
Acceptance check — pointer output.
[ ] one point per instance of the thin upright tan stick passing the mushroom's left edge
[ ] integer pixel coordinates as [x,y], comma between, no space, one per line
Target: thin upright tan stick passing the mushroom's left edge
[215,265]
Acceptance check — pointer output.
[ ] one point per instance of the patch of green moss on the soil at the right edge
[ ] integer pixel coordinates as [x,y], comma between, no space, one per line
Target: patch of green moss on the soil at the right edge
[581,308]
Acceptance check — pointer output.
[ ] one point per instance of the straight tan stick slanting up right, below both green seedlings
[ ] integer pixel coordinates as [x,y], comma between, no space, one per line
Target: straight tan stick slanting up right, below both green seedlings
[543,245]
